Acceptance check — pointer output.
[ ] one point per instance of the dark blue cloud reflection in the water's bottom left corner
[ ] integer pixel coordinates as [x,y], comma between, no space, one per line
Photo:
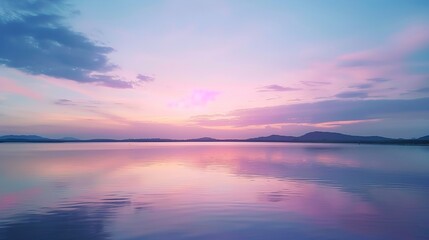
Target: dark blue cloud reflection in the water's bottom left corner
[79,221]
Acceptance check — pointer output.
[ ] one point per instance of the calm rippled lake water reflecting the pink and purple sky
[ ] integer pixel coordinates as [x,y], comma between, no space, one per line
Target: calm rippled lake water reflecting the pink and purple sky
[213,191]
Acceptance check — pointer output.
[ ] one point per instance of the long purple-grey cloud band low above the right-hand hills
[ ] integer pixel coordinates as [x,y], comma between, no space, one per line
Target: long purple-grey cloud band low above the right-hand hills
[321,112]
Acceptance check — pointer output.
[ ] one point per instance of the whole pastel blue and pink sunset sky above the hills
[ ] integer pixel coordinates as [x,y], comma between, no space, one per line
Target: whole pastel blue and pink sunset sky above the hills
[218,68]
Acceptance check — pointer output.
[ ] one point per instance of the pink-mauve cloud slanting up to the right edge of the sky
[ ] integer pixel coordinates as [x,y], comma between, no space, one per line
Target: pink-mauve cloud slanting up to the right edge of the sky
[390,61]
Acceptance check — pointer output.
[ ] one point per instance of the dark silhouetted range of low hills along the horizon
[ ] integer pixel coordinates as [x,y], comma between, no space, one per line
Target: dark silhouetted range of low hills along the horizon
[315,137]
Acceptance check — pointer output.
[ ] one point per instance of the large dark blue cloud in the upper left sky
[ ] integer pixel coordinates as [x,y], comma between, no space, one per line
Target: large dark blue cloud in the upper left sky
[34,39]
